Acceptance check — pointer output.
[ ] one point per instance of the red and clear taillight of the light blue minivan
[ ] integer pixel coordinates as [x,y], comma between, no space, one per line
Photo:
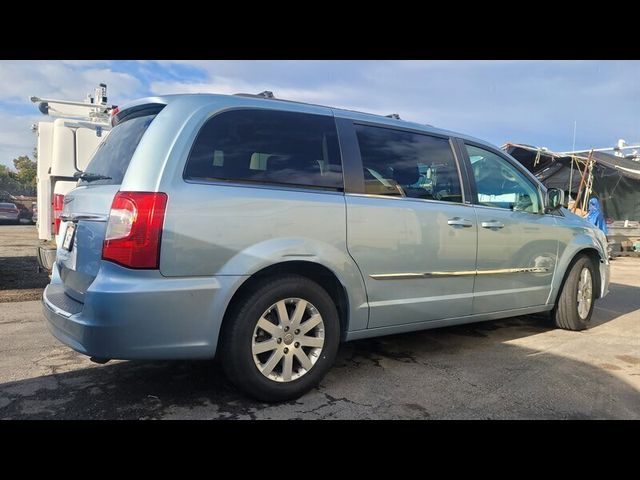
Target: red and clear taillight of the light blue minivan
[134,229]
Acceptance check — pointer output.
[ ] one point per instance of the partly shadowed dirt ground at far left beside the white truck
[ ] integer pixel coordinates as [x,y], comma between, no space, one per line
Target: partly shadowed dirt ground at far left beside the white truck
[19,276]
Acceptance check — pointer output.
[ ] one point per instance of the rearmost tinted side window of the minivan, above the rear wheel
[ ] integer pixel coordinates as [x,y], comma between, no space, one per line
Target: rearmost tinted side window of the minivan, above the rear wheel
[268,146]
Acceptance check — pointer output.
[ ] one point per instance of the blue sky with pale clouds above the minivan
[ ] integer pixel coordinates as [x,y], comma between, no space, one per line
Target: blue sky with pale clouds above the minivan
[533,102]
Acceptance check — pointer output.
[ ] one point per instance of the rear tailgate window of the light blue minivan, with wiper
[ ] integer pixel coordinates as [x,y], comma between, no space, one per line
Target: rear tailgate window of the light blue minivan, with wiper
[112,157]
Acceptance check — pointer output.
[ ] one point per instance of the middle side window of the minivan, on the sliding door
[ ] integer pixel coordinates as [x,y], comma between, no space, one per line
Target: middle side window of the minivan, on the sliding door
[407,164]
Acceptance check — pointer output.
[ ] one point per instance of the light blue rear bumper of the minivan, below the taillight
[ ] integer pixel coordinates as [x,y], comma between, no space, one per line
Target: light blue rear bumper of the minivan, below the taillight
[140,315]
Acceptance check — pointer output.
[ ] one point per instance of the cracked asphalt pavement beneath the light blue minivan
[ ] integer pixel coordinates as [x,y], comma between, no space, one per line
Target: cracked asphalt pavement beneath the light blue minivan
[518,368]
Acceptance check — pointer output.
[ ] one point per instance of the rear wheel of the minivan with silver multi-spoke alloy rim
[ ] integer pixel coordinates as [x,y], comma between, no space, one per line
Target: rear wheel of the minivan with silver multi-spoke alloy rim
[281,339]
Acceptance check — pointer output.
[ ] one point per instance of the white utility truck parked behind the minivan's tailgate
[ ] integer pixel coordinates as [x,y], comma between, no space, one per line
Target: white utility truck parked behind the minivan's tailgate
[65,146]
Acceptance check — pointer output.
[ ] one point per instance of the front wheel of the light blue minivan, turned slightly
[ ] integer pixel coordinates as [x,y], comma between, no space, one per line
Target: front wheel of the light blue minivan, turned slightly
[575,302]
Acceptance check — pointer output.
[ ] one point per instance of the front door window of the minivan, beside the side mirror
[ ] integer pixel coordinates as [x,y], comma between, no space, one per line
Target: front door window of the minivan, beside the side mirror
[500,184]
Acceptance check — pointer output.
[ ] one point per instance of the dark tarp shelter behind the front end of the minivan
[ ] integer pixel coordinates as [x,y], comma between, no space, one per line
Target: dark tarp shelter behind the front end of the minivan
[616,180]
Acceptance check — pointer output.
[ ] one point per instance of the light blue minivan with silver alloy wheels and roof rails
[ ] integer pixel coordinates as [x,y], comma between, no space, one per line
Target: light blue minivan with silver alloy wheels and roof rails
[265,232]
